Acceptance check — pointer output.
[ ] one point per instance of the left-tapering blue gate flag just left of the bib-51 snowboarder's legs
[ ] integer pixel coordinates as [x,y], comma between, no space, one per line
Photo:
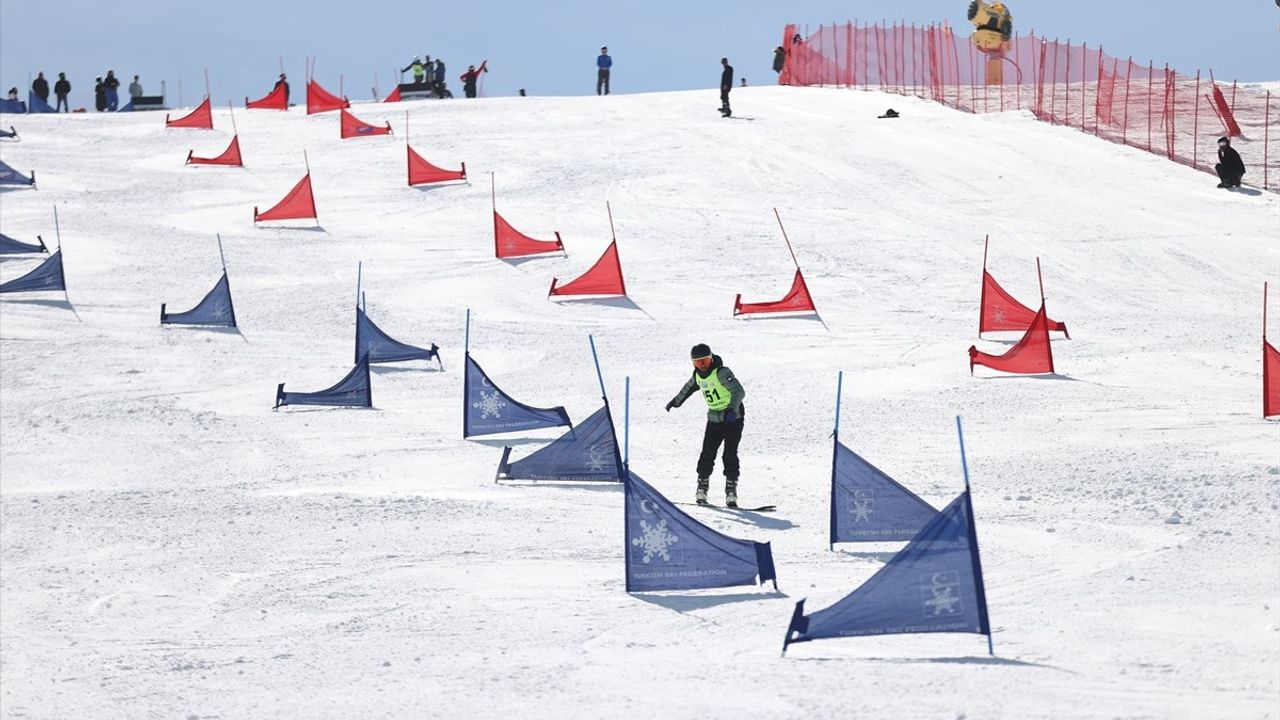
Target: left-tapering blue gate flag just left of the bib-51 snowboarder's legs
[586,453]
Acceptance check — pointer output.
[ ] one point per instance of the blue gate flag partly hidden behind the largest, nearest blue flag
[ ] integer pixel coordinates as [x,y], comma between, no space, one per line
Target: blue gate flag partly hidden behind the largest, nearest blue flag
[870,507]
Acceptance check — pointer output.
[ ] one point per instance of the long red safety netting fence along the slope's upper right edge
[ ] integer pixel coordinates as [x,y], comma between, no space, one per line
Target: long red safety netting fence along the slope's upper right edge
[1155,110]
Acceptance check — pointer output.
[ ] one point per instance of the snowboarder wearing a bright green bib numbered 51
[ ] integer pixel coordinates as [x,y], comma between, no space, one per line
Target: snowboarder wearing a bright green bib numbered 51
[725,413]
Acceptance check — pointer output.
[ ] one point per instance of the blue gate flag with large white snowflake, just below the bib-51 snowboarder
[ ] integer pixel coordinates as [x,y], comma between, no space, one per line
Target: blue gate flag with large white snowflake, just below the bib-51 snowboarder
[668,550]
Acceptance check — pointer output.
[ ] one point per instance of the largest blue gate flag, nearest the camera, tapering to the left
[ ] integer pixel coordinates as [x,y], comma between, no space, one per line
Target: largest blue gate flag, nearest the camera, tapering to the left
[931,586]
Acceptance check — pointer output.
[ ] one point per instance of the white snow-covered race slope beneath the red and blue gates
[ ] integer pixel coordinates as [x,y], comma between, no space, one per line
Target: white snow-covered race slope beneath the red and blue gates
[171,548]
